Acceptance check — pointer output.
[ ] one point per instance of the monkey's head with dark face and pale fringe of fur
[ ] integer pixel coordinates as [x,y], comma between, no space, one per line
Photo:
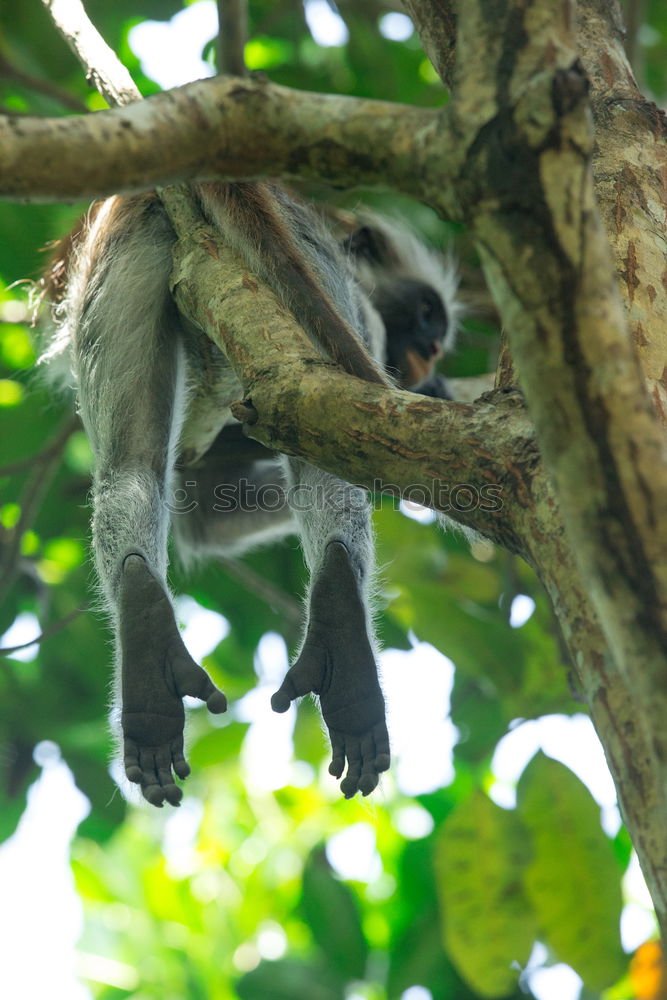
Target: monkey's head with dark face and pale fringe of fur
[414,293]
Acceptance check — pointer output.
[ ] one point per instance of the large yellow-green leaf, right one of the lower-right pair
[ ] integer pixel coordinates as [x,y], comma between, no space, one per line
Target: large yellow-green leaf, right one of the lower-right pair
[573,879]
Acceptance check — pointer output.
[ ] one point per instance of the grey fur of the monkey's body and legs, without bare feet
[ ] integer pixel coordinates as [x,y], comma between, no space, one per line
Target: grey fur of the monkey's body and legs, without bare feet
[138,372]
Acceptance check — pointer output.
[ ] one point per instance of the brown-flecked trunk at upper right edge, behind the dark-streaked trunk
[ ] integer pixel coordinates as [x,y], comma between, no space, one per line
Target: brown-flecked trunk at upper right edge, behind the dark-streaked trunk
[630,168]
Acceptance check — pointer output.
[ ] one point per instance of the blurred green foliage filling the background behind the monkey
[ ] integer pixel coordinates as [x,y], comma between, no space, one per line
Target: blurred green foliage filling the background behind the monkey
[450,910]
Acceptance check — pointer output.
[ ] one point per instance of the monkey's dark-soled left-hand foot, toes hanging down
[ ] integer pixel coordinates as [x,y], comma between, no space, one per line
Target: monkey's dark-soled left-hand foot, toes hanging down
[156,673]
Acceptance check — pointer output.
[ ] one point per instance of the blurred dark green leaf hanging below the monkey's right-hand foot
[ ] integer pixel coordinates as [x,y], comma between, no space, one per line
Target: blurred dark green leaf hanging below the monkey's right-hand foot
[332,913]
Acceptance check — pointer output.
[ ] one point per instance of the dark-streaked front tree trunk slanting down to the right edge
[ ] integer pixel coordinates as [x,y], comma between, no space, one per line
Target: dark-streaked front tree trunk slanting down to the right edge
[526,185]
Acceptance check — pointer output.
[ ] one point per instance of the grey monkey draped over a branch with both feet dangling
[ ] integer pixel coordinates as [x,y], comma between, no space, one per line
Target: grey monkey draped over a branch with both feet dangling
[145,379]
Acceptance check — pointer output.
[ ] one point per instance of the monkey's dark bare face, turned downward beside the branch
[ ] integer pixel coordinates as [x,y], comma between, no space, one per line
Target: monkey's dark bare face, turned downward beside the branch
[416,323]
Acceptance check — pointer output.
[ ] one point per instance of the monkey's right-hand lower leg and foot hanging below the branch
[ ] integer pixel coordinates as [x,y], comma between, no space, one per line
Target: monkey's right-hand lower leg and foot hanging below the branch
[337,660]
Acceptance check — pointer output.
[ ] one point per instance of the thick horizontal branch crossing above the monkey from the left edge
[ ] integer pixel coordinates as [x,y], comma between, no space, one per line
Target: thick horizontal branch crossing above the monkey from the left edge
[231,128]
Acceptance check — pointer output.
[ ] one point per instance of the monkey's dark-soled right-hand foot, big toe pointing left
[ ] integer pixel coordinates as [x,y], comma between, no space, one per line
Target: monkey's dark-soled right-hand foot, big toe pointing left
[337,663]
